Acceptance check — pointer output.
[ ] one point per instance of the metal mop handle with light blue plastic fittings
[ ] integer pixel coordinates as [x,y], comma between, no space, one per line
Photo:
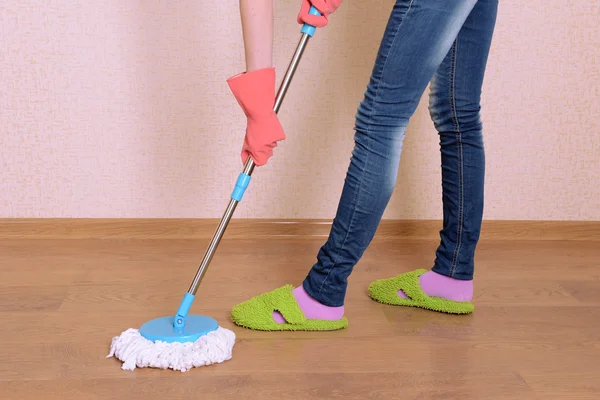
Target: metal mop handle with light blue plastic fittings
[244,178]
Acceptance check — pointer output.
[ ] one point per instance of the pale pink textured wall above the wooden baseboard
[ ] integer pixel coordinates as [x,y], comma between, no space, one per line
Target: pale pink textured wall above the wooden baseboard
[120,109]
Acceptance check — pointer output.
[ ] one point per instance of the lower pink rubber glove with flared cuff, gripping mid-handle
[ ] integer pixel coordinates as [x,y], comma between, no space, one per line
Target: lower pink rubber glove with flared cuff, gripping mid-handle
[255,93]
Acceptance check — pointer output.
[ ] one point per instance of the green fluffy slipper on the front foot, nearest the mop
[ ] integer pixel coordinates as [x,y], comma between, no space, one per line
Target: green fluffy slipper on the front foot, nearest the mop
[257,313]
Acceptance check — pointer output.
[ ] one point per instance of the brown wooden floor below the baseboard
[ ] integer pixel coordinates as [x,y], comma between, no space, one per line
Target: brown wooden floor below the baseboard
[535,333]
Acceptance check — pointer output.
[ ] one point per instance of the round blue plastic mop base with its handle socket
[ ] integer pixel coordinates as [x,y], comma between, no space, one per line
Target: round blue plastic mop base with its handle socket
[180,327]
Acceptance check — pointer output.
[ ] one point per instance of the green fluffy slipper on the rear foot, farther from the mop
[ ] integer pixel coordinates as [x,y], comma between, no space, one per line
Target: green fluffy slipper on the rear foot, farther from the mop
[386,291]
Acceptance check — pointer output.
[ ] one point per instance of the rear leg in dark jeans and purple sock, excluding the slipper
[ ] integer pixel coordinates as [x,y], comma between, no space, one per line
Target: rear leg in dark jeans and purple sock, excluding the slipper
[455,110]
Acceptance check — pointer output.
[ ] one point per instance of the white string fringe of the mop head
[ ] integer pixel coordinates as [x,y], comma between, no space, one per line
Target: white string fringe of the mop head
[135,350]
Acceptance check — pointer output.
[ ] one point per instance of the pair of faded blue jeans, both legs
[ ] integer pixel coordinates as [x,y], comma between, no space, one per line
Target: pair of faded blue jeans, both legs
[445,42]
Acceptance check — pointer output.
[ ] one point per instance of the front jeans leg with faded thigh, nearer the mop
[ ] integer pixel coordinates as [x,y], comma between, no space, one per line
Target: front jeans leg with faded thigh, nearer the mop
[417,39]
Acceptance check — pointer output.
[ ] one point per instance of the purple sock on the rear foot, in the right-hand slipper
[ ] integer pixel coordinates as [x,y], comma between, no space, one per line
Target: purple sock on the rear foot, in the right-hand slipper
[436,285]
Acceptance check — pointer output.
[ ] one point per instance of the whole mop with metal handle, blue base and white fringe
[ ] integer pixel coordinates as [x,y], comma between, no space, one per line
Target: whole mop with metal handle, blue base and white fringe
[183,341]
